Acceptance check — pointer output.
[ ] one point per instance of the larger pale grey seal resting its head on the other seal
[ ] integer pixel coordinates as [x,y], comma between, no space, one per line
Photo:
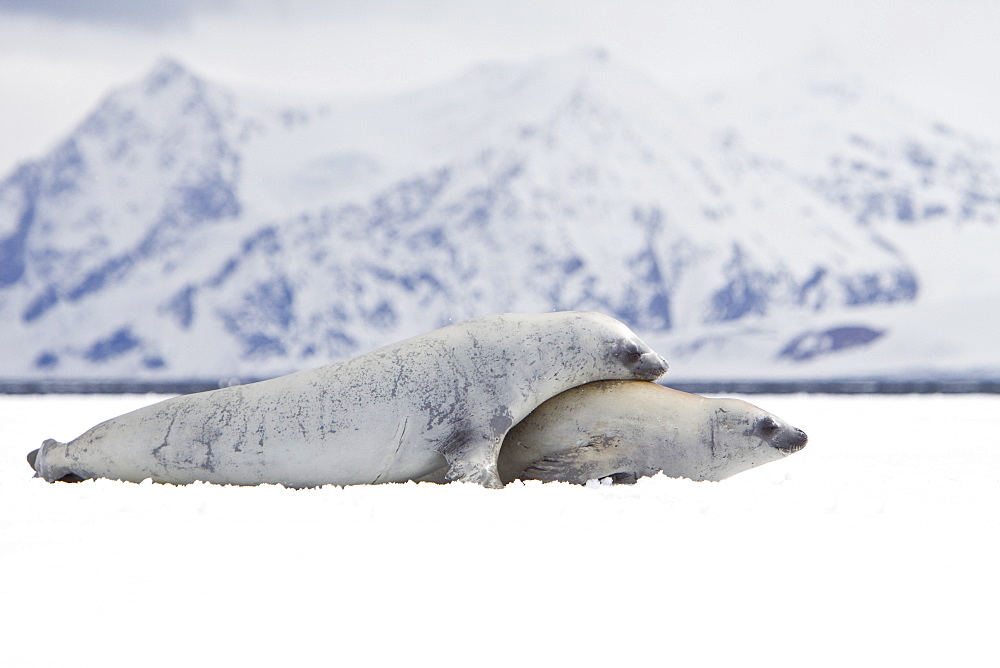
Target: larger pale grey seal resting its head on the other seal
[446,398]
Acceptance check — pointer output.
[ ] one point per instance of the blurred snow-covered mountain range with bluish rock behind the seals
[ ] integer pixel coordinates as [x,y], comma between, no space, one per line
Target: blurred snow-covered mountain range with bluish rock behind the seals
[799,228]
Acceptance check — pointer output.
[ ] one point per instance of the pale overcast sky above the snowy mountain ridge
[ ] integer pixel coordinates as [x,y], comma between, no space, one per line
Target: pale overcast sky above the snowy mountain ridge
[59,57]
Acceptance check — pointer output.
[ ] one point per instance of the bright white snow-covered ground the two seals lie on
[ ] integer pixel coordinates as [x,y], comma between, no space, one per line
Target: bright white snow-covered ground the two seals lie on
[878,544]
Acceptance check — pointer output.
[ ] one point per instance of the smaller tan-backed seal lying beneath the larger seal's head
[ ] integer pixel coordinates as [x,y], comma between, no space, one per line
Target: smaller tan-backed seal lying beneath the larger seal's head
[627,429]
